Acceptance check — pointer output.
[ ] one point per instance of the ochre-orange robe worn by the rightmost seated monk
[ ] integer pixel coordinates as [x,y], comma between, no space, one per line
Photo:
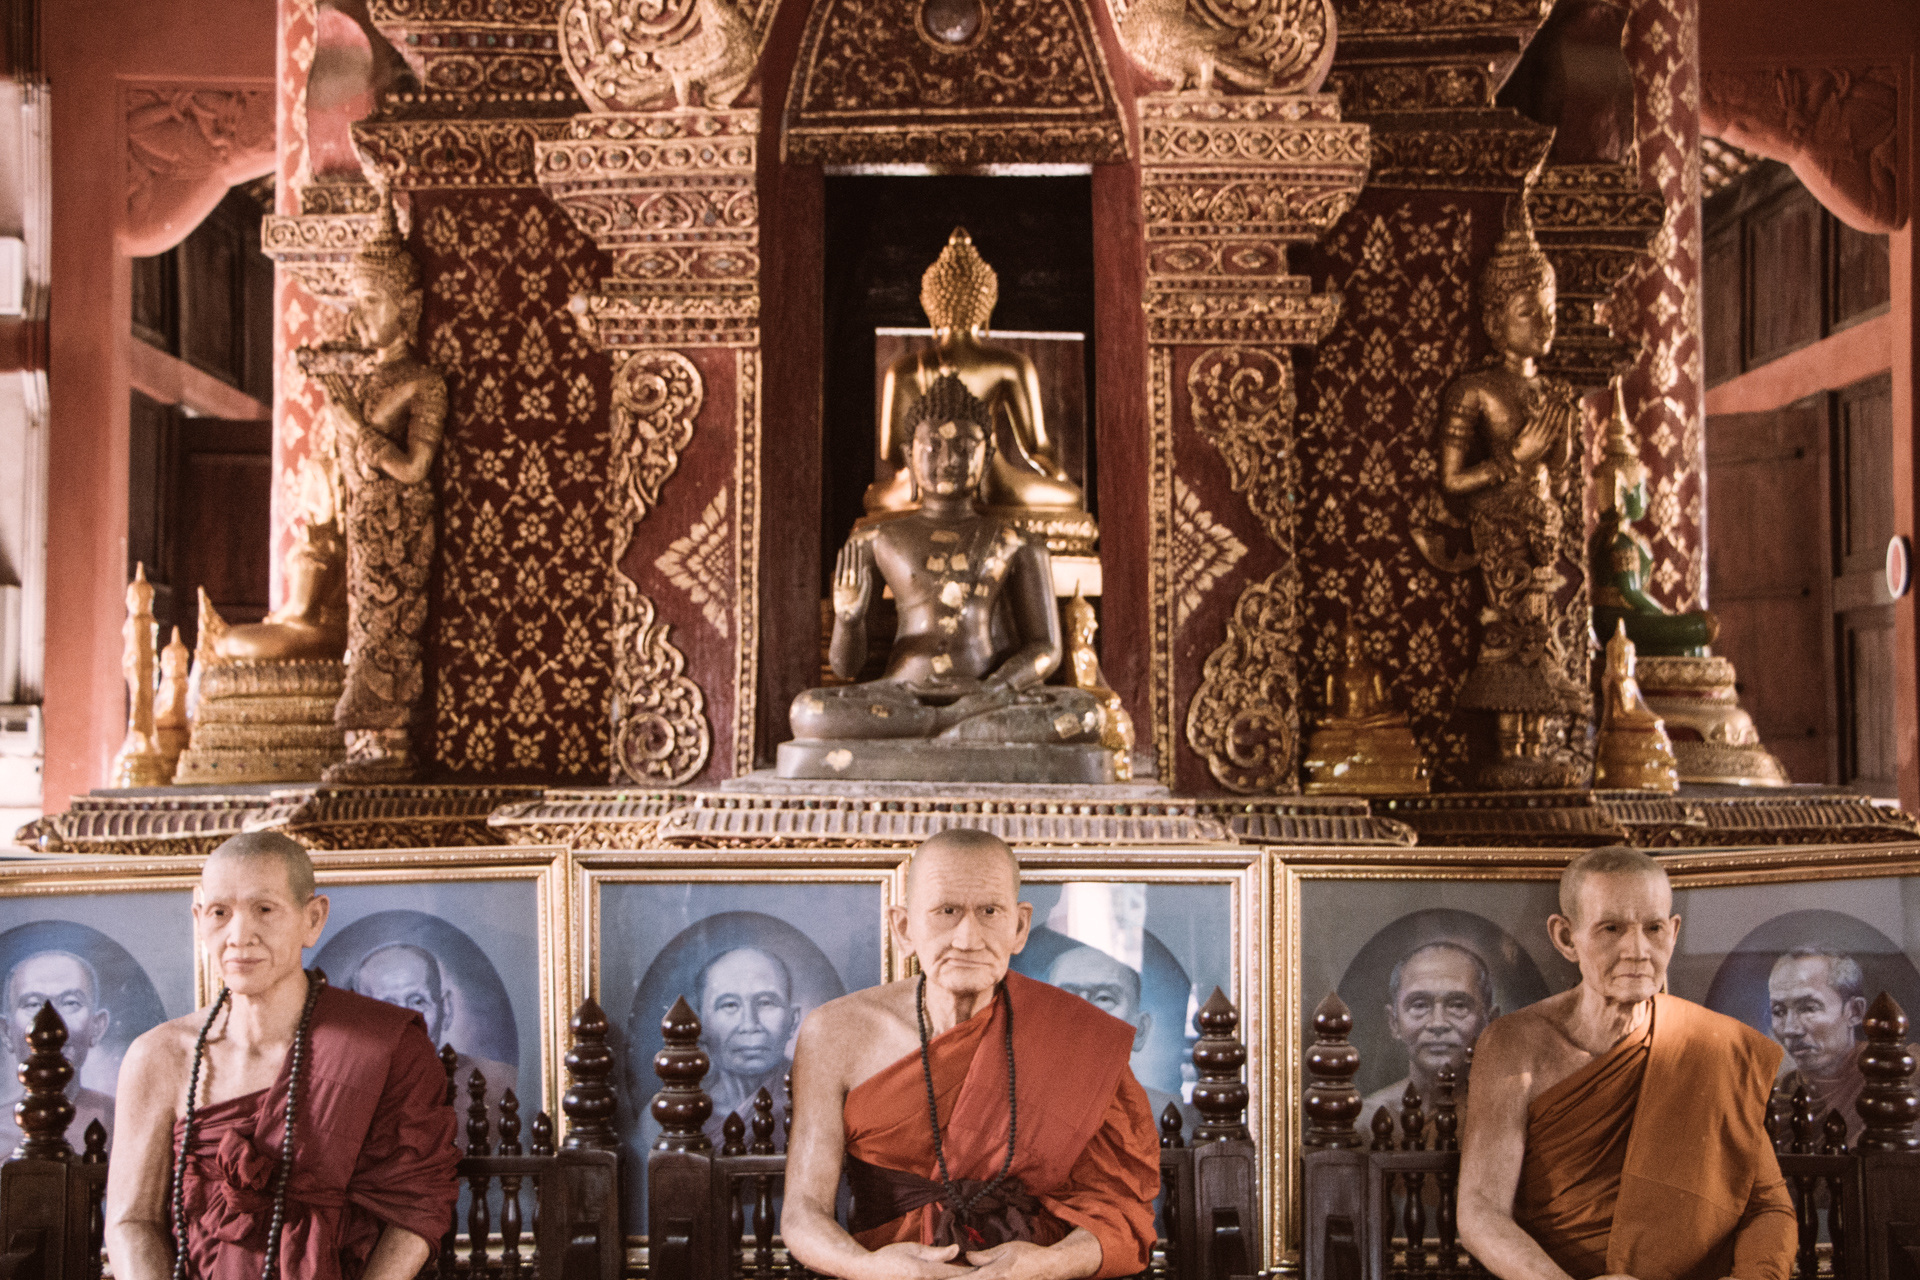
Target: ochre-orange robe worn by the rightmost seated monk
[1654,1160]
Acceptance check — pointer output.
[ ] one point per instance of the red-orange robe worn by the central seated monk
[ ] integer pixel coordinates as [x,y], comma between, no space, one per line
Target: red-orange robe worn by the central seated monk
[1086,1147]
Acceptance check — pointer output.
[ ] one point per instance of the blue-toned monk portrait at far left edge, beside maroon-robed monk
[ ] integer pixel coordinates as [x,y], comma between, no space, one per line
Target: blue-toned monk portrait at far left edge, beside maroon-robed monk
[122,972]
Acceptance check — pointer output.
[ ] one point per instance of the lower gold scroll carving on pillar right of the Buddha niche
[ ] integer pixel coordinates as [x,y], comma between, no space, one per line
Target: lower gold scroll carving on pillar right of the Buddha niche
[1245,719]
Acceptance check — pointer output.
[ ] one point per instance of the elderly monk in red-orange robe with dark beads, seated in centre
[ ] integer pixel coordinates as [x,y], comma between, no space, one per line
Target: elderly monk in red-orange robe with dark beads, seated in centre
[1040,1160]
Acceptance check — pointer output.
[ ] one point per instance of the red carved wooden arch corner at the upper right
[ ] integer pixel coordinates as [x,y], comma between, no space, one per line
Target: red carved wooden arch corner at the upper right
[1836,128]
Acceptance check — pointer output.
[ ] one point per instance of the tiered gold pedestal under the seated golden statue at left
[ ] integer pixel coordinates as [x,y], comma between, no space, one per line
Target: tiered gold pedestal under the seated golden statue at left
[264,723]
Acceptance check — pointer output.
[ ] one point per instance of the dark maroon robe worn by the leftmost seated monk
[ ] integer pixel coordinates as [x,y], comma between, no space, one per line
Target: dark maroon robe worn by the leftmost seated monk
[373,1149]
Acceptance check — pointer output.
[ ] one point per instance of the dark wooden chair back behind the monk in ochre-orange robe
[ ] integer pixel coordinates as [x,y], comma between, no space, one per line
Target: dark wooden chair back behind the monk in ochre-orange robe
[1383,1206]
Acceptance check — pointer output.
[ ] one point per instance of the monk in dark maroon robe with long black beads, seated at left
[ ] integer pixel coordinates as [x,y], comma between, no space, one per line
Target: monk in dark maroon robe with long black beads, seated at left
[370,1156]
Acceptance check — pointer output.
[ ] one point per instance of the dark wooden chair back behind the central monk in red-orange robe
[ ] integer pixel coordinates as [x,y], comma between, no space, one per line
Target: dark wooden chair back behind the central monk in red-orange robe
[711,1214]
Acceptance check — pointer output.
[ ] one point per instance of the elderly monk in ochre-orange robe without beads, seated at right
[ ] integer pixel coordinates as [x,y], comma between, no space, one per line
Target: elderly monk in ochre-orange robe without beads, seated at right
[1618,1131]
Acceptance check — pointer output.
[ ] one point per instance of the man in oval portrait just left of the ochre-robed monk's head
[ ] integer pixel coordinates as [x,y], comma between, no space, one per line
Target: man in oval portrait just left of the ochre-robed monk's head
[1439,1001]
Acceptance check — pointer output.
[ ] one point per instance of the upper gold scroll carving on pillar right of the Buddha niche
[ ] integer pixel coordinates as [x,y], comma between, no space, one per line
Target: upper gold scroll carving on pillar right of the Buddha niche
[1243,404]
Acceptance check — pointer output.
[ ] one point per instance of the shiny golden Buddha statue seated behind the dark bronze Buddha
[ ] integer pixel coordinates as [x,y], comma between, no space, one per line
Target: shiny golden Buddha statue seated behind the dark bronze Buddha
[1024,481]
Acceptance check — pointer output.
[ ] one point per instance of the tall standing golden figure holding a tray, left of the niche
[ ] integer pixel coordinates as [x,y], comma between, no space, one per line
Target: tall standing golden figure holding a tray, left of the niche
[389,415]
